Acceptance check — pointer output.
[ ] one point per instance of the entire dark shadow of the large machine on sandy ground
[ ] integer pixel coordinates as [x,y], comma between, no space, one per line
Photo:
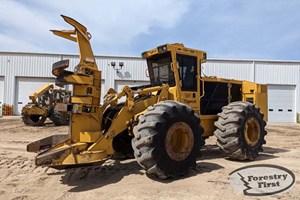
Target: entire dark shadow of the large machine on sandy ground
[88,178]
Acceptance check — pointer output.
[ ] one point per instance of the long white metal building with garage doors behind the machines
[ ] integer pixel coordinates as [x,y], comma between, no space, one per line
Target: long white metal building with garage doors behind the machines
[23,73]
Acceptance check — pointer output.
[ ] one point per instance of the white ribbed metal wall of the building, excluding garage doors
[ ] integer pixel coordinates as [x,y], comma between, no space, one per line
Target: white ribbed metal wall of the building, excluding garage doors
[13,65]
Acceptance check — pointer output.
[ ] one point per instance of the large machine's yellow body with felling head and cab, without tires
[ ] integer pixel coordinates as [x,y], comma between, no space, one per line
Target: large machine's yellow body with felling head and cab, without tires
[90,138]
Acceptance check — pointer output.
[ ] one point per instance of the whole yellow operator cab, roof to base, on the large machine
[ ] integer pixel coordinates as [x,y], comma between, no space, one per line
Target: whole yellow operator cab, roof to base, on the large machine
[176,65]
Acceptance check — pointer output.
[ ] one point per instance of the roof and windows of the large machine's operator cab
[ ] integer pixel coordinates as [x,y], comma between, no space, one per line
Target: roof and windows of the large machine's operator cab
[161,65]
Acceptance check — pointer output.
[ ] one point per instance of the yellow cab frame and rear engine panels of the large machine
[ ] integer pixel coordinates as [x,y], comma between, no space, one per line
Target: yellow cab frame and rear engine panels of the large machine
[250,92]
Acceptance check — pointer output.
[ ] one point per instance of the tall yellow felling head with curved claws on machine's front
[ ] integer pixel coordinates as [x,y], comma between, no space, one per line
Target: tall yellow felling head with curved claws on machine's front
[86,115]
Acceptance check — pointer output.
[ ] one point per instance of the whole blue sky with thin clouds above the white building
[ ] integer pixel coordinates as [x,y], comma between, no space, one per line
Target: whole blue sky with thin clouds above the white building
[238,29]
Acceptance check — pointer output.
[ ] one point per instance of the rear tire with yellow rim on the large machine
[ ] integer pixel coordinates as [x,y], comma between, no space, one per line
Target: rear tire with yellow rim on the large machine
[240,130]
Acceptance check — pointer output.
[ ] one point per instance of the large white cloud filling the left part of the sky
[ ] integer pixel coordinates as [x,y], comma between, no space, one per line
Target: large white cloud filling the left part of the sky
[113,24]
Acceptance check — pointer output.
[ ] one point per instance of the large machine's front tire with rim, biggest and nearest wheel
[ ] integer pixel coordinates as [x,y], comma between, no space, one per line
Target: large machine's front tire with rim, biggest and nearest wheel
[156,130]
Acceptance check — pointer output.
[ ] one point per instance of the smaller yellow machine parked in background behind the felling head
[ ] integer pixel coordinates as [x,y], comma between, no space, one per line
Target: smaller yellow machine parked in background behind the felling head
[47,102]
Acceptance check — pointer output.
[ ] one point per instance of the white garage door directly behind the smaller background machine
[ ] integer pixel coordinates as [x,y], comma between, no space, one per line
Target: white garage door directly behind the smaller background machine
[25,87]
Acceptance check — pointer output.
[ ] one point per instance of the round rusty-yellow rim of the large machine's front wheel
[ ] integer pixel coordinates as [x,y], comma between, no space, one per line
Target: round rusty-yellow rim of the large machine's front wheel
[179,141]
